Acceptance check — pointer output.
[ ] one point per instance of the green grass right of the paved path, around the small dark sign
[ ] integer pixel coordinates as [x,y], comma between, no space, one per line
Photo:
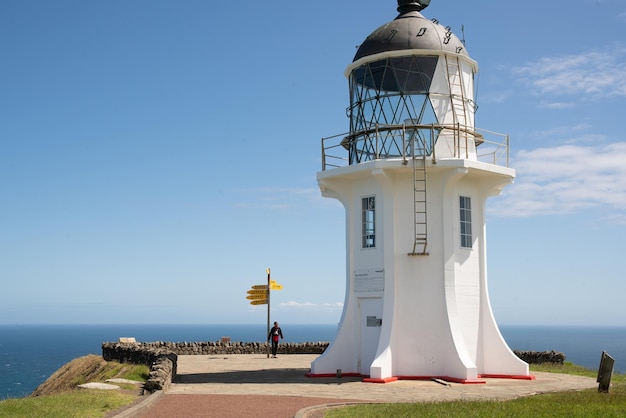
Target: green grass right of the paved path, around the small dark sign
[586,403]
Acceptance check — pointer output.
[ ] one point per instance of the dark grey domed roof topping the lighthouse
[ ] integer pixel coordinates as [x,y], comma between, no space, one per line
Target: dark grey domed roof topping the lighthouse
[411,31]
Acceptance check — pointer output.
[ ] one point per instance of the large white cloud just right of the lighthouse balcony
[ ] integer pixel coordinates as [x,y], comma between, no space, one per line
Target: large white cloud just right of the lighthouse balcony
[566,179]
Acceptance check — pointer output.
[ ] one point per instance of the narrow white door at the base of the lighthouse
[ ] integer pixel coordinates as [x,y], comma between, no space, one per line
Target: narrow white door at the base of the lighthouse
[370,317]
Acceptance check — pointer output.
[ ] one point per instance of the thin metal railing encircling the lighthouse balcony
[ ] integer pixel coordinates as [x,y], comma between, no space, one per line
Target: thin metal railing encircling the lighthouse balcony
[411,141]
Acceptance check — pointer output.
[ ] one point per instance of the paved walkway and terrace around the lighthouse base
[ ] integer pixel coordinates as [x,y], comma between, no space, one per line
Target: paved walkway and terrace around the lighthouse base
[268,382]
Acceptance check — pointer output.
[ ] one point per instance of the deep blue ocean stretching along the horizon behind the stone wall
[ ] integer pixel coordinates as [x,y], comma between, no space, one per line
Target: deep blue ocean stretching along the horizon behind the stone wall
[29,354]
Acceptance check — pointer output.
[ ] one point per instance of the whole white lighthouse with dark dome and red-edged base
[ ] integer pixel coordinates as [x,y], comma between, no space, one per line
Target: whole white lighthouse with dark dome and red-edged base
[414,174]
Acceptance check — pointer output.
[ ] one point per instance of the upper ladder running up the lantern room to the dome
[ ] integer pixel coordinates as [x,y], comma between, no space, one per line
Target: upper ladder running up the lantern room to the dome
[459,105]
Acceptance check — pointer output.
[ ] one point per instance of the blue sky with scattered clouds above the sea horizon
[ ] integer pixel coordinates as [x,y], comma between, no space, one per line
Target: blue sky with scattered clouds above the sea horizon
[157,156]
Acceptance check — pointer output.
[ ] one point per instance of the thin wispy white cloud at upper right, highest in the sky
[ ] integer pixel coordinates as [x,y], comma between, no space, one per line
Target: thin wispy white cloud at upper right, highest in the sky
[593,74]
